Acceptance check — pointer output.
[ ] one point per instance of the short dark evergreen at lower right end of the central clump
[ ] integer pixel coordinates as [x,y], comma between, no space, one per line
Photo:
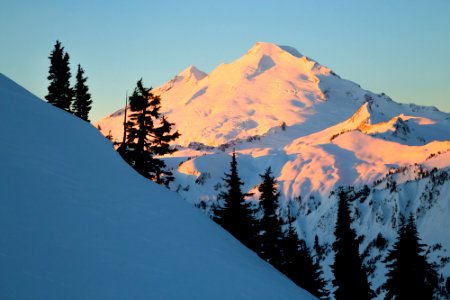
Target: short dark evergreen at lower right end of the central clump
[299,266]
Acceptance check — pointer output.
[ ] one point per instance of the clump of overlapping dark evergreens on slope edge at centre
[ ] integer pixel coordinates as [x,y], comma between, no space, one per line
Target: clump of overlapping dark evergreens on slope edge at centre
[265,235]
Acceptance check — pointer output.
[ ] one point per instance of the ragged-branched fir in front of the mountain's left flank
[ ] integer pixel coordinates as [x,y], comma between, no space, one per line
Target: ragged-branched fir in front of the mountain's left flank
[148,134]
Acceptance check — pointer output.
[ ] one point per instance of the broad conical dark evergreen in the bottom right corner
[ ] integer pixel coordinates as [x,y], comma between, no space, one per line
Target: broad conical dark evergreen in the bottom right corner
[409,275]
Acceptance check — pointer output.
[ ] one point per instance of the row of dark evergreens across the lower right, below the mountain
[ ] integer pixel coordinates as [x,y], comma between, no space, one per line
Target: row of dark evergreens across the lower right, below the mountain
[276,240]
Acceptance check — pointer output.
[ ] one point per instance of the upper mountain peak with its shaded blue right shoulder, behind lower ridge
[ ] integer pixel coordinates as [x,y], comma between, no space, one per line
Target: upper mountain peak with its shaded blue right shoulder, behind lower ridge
[269,86]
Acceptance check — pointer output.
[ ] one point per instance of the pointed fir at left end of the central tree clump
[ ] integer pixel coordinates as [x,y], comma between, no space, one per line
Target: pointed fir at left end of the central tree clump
[232,212]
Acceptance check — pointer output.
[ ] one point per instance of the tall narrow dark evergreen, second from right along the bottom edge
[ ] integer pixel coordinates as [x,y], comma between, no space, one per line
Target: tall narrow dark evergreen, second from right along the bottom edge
[350,277]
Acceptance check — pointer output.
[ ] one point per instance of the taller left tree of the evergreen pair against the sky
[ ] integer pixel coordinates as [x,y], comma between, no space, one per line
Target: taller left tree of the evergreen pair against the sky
[59,90]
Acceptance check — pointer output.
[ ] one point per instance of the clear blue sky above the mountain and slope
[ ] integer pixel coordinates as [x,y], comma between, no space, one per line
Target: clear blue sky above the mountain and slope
[398,47]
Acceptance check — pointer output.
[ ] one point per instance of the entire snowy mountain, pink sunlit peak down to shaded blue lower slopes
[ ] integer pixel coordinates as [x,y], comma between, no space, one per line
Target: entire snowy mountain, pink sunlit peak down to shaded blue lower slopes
[317,132]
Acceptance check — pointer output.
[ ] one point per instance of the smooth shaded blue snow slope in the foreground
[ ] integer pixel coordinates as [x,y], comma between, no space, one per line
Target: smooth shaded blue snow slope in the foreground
[76,222]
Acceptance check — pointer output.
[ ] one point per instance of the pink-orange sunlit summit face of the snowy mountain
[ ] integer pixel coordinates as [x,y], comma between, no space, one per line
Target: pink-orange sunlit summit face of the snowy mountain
[267,86]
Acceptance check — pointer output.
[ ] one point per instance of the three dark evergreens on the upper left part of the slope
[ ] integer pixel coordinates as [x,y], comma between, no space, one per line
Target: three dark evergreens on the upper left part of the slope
[147,132]
